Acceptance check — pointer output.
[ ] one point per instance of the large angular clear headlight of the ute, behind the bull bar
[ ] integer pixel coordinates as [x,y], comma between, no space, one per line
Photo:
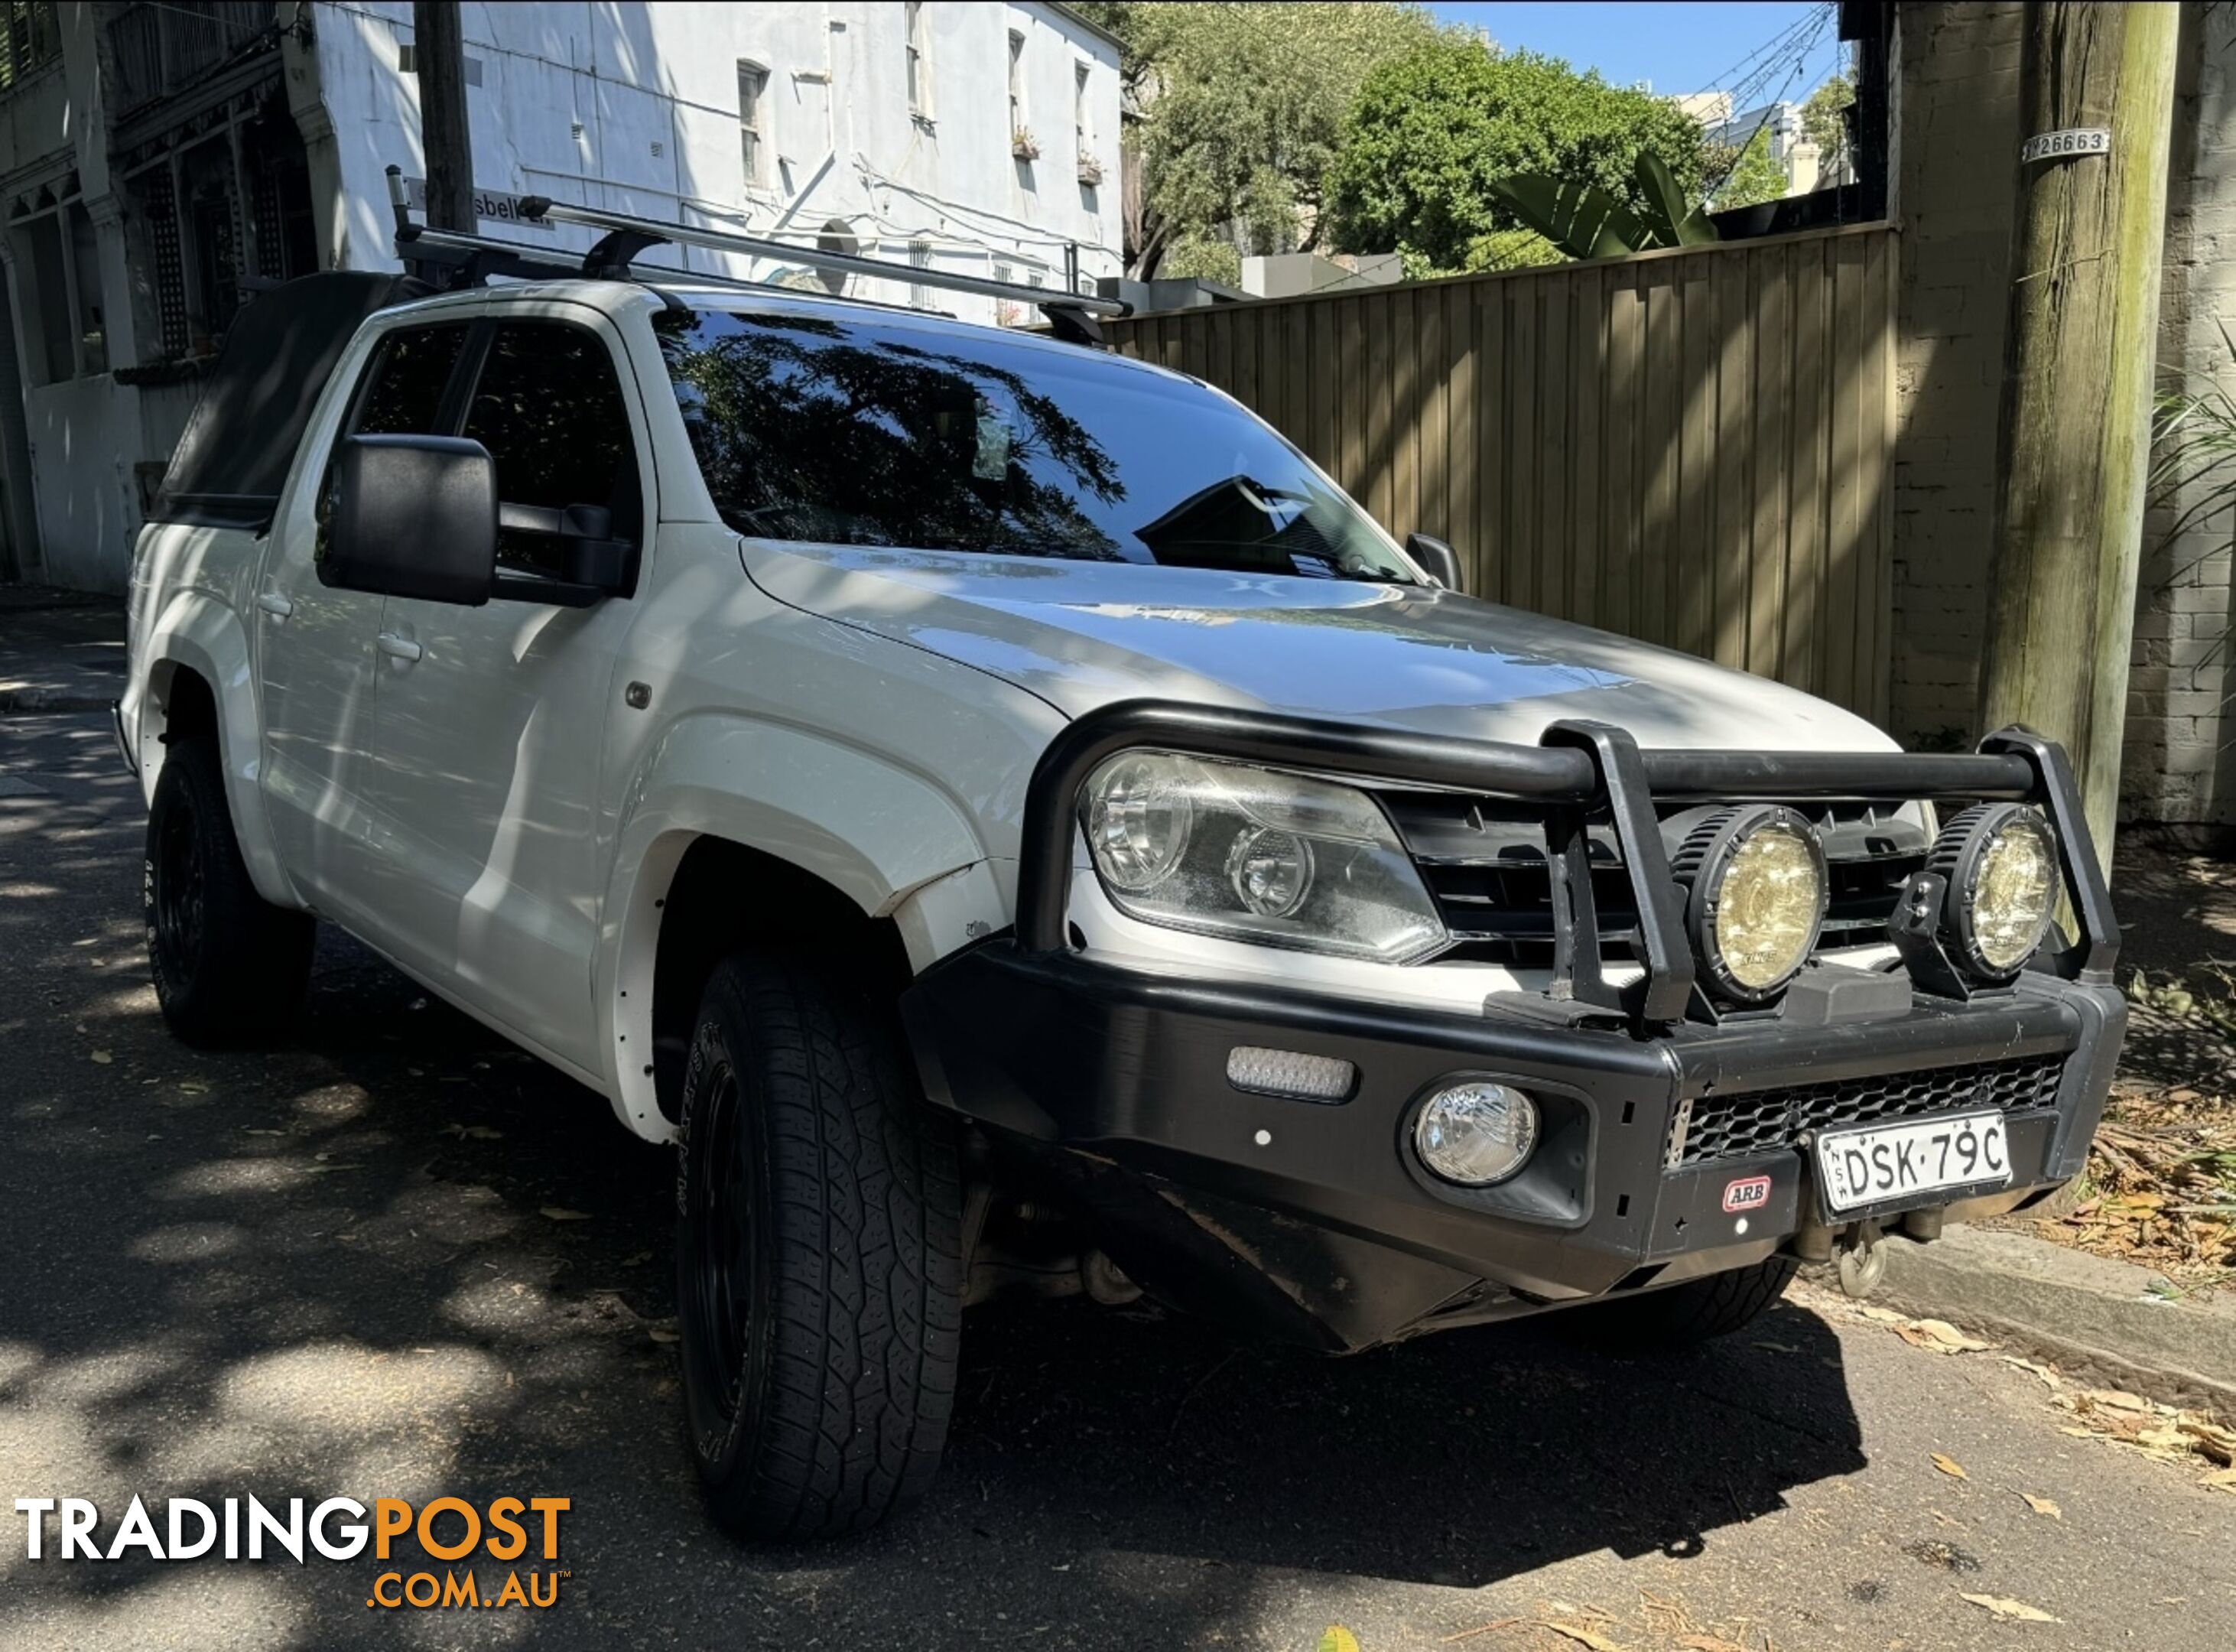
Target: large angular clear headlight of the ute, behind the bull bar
[1256,855]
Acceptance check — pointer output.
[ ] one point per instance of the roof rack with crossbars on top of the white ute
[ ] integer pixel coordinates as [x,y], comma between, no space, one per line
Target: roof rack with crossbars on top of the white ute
[475,258]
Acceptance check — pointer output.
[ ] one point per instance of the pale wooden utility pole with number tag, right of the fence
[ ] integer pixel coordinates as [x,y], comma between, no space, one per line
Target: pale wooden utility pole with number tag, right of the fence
[2076,426]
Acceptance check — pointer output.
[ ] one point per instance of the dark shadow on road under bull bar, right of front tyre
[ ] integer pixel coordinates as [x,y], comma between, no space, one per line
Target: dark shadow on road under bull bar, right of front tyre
[1459,1461]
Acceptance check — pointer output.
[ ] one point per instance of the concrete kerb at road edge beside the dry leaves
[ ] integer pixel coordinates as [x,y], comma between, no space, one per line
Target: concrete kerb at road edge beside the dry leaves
[2094,1318]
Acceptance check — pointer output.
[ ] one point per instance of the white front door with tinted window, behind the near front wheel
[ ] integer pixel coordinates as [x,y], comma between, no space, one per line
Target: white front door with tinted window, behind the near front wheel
[493,719]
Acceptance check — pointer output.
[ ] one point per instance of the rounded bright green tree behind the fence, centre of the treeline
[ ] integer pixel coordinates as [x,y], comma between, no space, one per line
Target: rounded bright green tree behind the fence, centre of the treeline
[1437,129]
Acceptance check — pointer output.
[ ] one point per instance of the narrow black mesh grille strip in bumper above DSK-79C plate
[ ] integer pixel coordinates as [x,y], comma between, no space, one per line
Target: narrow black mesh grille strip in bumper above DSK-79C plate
[1772,1121]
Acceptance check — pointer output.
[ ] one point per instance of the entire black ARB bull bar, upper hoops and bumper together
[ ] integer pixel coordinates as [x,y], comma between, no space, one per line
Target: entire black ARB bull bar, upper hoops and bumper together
[1318,1222]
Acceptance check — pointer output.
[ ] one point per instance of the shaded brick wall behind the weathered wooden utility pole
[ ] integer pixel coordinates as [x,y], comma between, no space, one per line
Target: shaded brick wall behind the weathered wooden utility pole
[1958,135]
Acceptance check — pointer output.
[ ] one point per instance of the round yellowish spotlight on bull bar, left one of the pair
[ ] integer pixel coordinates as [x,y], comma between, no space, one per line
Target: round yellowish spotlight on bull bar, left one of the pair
[1756,900]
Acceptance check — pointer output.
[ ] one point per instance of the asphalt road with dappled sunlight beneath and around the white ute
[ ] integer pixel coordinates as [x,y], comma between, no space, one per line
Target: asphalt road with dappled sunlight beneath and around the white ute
[330,1269]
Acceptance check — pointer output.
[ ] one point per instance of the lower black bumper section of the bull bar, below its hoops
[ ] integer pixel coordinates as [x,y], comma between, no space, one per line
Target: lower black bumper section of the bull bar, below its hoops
[1316,1222]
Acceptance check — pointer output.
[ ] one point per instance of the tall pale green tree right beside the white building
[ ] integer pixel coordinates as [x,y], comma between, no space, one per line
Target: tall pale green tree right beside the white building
[1233,120]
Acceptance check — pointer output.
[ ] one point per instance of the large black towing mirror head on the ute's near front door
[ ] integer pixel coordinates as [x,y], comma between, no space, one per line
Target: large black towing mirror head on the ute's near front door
[413,518]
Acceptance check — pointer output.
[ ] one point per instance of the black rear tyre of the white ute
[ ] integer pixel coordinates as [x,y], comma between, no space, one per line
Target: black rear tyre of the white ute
[227,962]
